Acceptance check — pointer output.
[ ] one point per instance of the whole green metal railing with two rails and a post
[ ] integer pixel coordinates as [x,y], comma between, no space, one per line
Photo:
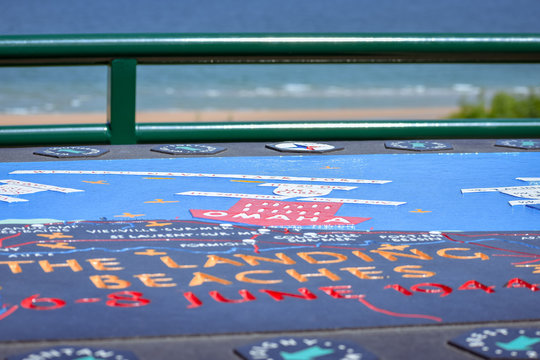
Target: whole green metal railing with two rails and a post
[123,53]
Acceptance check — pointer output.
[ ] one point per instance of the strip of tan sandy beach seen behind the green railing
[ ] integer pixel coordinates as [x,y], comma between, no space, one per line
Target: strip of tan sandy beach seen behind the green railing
[236,116]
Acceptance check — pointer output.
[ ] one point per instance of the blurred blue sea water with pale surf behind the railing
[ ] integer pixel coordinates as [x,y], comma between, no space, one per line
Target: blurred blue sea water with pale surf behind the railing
[321,86]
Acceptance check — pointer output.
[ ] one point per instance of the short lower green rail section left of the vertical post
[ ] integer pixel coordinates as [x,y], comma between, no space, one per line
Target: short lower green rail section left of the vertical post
[54,134]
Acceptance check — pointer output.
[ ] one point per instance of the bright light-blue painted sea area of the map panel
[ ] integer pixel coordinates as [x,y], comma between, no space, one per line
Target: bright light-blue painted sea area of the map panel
[430,184]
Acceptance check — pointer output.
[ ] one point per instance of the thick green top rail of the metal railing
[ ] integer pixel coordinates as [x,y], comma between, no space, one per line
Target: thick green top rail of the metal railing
[234,48]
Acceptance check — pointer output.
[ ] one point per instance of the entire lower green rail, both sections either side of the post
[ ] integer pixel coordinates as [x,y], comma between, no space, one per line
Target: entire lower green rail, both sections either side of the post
[270,131]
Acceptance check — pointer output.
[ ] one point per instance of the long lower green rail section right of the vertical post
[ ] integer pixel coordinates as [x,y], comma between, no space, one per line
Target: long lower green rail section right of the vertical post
[338,130]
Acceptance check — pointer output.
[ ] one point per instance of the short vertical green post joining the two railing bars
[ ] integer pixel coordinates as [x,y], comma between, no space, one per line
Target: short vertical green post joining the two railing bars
[121,101]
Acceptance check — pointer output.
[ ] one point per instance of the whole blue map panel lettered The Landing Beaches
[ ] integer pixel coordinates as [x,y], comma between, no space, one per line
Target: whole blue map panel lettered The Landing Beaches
[118,248]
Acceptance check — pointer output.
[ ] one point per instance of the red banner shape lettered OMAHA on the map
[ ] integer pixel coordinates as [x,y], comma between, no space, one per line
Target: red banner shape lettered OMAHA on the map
[280,213]
